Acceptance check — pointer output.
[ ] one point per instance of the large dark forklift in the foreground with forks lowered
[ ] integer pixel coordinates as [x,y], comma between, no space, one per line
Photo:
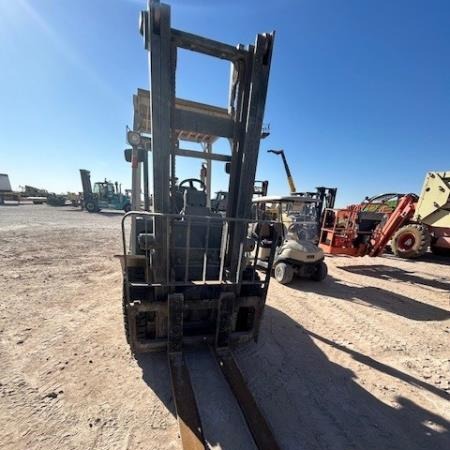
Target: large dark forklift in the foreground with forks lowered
[188,278]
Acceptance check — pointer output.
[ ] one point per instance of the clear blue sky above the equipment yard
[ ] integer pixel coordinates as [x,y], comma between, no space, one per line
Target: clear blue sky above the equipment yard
[359,93]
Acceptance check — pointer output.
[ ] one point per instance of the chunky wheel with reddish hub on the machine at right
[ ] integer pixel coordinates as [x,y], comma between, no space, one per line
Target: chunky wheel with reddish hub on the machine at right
[411,241]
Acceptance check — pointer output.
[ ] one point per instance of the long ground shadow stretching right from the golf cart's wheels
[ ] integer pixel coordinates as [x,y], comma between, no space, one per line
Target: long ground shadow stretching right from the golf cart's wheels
[376,297]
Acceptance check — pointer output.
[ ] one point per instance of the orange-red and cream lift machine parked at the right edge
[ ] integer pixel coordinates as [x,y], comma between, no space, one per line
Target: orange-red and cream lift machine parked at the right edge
[410,223]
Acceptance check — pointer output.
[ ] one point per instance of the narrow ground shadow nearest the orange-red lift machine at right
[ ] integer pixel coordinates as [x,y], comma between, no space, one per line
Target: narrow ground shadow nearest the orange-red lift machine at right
[389,273]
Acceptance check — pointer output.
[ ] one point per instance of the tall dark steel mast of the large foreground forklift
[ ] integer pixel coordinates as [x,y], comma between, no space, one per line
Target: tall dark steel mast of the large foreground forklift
[171,121]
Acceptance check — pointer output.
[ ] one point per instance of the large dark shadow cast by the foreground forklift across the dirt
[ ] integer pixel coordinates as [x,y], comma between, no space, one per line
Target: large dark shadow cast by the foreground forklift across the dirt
[311,402]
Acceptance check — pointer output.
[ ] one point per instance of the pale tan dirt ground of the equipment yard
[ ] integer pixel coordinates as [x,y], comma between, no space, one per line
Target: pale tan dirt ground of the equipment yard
[360,361]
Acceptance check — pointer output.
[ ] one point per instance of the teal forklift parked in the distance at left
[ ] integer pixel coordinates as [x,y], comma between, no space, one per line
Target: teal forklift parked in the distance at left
[105,195]
